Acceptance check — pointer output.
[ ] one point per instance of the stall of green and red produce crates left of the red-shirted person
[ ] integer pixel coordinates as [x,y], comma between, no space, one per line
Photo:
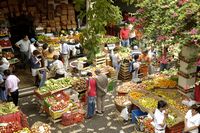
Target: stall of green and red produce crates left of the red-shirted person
[57,98]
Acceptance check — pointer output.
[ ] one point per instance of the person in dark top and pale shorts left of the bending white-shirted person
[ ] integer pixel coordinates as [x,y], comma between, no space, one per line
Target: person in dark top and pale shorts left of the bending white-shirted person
[36,63]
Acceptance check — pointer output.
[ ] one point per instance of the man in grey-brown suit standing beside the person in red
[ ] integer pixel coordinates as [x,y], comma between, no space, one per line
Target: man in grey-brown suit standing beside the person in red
[102,84]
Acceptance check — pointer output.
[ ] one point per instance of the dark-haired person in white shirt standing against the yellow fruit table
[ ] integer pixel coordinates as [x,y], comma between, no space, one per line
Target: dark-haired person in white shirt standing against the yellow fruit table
[160,116]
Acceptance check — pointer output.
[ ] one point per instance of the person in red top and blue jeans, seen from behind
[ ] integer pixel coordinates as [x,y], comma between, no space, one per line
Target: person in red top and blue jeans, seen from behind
[91,95]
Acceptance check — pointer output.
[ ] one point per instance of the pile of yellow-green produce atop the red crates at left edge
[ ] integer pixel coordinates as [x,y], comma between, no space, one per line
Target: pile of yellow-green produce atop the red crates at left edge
[8,108]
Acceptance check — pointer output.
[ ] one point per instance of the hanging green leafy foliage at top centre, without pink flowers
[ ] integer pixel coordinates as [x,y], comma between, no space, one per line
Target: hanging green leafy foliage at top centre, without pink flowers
[100,14]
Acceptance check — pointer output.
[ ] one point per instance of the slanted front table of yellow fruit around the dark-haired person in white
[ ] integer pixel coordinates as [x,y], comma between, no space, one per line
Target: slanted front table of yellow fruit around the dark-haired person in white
[152,97]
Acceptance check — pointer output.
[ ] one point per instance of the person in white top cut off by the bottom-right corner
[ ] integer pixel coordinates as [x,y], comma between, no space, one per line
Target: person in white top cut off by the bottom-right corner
[192,120]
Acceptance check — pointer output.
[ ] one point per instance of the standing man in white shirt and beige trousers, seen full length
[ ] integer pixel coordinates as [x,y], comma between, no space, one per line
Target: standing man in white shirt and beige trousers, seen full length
[65,53]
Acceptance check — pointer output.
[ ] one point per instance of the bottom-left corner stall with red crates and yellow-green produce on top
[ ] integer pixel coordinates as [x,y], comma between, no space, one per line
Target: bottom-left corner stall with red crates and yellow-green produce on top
[11,118]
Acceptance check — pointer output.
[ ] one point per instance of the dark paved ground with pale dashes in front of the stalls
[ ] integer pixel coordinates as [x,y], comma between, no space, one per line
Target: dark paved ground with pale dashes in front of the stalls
[109,122]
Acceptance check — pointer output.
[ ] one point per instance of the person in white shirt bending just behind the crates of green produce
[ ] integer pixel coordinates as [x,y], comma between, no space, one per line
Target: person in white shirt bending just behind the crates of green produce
[58,67]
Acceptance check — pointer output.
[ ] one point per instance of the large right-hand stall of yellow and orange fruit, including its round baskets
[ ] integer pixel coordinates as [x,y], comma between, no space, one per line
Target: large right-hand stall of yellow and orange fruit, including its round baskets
[145,96]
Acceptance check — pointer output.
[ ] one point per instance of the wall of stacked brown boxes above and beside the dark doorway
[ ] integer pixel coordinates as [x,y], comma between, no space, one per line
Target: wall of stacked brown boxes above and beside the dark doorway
[52,15]
